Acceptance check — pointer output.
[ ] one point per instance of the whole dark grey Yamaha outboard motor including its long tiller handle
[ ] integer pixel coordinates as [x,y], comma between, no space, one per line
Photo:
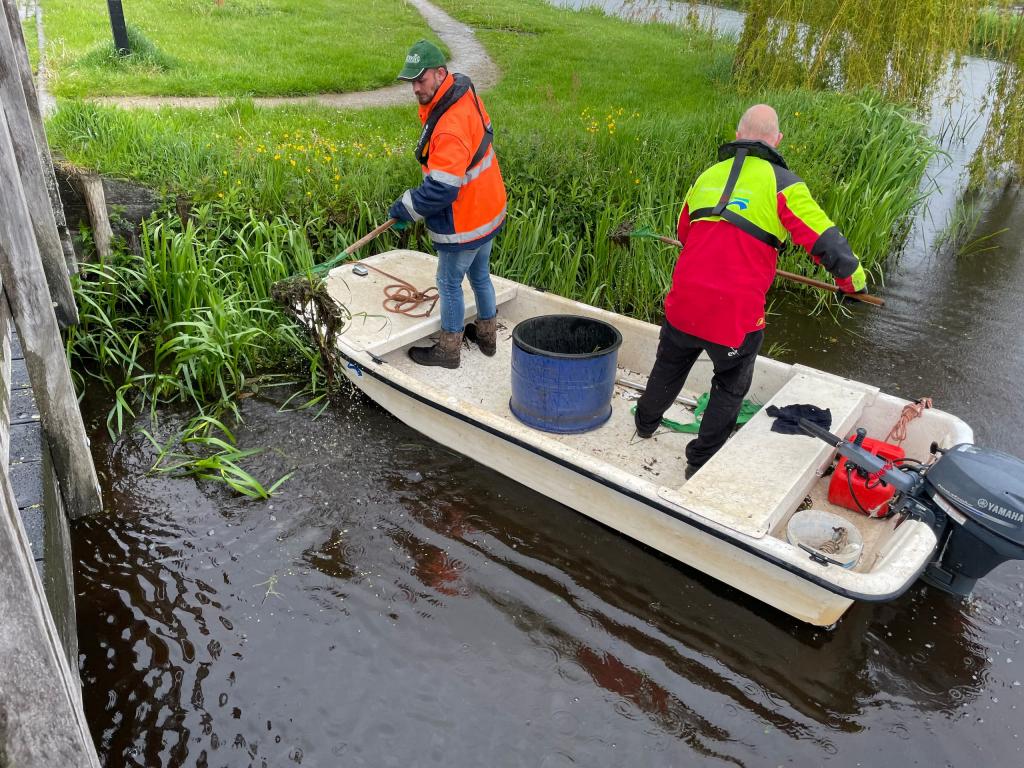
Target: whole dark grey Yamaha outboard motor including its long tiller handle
[972,498]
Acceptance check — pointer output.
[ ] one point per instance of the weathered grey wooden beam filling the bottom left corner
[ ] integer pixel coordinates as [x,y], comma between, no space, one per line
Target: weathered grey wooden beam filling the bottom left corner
[41,719]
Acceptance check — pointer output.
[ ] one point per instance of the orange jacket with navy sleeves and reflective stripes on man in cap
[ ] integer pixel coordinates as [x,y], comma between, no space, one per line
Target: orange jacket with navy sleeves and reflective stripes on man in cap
[462,199]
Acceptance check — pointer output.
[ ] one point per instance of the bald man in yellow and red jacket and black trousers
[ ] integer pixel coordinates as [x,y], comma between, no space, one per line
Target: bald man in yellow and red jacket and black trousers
[737,217]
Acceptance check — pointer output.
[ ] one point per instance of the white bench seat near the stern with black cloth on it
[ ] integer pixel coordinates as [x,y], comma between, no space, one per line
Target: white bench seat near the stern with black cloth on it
[760,477]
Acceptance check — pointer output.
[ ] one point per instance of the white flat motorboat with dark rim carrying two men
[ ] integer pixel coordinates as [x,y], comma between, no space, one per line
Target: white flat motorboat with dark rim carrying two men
[729,521]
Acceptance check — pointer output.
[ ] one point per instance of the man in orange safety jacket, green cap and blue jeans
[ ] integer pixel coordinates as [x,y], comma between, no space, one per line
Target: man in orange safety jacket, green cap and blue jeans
[461,201]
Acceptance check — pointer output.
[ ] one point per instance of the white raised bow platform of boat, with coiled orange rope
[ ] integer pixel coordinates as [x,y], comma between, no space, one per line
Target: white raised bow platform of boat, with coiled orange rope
[417,269]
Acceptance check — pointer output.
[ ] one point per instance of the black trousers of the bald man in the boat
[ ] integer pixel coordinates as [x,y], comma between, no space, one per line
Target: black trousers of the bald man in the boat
[734,373]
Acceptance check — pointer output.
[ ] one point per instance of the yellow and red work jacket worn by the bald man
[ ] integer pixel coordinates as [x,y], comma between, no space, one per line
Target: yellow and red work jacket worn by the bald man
[727,267]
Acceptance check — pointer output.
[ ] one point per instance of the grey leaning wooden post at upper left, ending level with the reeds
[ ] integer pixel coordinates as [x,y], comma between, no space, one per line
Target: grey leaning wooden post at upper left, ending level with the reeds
[29,169]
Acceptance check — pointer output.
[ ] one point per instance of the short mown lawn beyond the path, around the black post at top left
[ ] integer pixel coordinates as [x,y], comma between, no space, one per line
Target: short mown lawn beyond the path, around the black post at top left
[244,48]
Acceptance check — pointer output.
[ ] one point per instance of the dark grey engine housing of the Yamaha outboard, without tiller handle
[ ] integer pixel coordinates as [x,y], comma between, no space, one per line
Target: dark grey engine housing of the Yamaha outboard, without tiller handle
[983,494]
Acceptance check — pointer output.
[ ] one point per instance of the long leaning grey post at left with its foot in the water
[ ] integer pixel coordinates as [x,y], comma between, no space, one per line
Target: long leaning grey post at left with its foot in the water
[24,282]
